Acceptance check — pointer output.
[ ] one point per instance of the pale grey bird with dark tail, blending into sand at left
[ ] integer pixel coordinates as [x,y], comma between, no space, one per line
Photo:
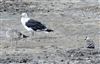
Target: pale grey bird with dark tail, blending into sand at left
[14,35]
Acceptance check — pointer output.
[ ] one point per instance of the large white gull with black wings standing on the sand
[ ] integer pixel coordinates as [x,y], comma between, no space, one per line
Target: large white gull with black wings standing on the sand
[33,25]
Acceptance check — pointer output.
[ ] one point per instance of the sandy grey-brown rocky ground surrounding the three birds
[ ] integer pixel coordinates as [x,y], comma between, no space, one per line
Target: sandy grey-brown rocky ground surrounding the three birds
[71,22]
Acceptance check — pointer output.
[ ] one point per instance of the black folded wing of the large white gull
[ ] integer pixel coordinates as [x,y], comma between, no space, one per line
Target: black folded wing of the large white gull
[35,25]
